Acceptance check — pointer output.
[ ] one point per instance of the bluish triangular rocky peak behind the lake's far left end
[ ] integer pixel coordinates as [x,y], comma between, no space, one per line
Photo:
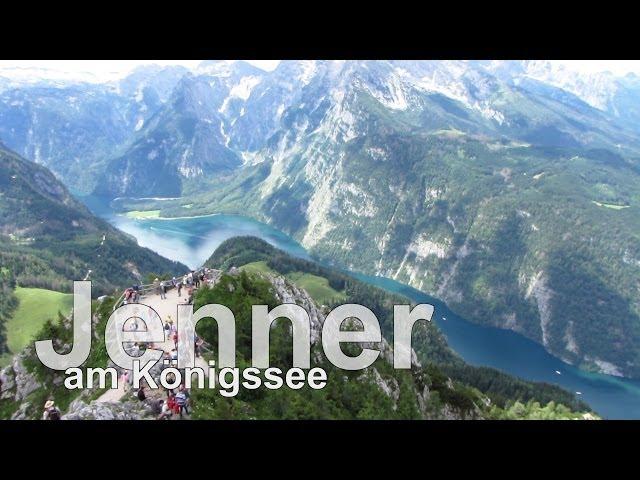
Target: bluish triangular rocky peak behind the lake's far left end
[184,140]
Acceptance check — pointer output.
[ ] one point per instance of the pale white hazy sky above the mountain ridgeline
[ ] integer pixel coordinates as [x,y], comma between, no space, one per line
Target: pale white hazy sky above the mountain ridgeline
[110,69]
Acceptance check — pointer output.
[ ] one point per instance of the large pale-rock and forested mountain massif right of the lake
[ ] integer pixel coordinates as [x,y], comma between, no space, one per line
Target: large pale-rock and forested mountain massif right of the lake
[375,167]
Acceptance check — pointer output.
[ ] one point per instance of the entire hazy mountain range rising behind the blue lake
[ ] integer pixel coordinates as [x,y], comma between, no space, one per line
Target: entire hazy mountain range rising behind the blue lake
[509,189]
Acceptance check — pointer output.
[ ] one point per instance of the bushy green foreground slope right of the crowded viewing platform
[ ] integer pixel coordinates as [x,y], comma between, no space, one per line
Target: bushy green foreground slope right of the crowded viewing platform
[348,394]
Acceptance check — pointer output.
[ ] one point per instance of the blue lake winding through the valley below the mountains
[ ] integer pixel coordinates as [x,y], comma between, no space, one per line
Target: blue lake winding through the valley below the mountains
[192,240]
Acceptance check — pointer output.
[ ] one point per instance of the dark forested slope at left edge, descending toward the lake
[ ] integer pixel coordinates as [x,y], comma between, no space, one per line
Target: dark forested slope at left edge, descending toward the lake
[48,239]
